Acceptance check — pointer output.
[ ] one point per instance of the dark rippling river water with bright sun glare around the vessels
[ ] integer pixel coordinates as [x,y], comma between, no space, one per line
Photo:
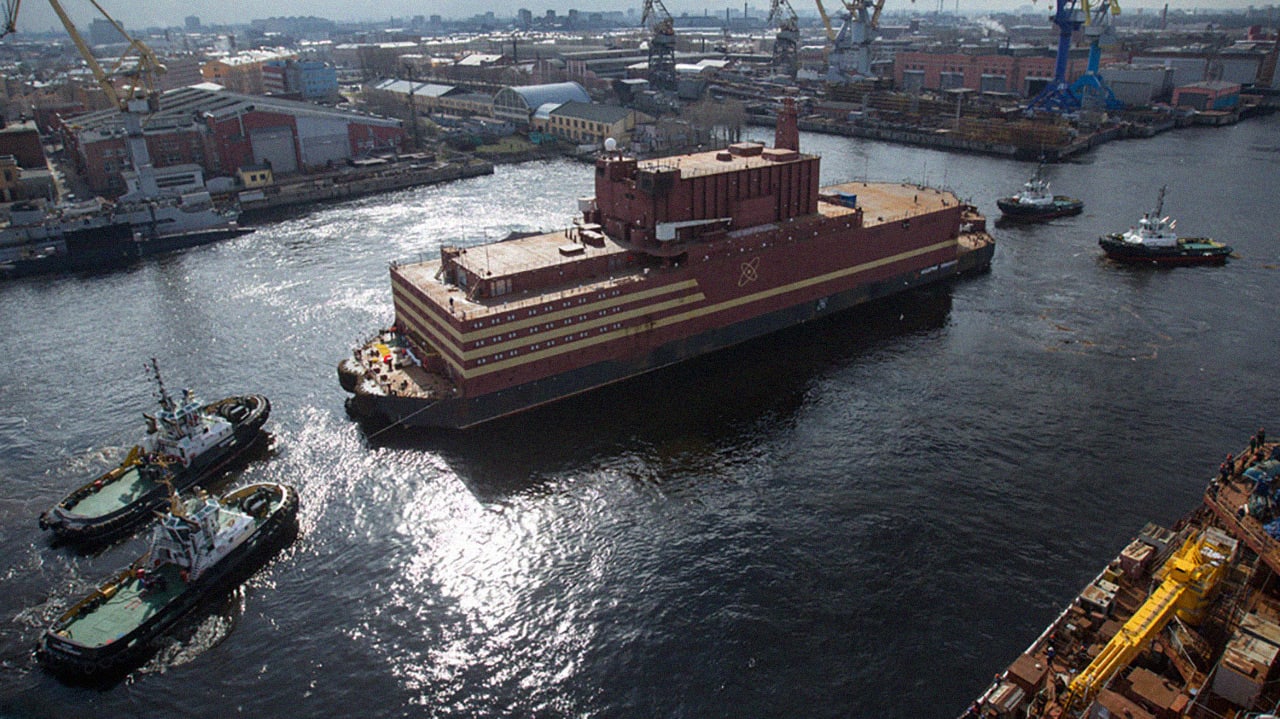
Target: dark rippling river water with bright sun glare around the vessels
[865,518]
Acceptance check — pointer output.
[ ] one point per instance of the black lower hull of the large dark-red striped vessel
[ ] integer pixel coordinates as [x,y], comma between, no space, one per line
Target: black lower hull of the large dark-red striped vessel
[467,413]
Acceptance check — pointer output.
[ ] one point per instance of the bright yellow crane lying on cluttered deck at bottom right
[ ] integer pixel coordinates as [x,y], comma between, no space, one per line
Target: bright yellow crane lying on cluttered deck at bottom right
[1188,580]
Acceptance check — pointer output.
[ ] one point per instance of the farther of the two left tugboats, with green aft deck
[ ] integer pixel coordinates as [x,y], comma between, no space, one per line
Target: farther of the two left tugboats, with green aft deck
[186,445]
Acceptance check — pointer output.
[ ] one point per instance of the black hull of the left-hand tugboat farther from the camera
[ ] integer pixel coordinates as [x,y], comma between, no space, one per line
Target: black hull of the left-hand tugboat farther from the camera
[76,529]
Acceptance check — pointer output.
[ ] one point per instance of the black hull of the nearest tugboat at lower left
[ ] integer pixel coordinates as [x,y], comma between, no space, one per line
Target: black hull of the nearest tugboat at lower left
[115,661]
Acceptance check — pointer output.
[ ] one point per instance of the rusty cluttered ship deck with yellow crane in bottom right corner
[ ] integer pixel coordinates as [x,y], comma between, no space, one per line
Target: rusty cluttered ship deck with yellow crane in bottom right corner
[1183,622]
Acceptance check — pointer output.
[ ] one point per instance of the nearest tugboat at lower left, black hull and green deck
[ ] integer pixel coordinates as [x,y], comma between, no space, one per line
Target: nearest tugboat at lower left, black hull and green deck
[202,546]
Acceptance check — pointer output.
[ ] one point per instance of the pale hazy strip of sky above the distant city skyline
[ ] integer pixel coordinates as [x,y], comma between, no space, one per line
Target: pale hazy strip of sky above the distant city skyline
[39,17]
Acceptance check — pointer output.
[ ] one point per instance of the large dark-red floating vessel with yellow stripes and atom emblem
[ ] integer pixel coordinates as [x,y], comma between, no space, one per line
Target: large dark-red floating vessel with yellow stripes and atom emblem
[671,259]
